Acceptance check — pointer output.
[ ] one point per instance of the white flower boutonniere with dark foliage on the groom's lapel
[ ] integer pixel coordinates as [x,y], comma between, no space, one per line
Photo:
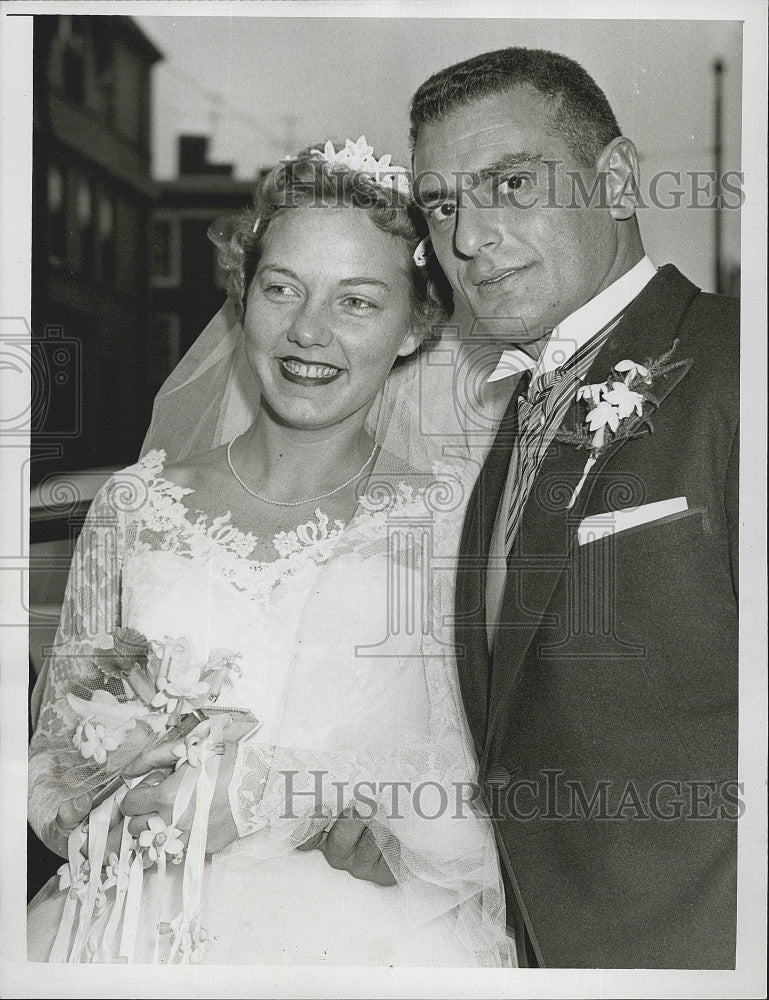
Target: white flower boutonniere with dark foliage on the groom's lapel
[616,407]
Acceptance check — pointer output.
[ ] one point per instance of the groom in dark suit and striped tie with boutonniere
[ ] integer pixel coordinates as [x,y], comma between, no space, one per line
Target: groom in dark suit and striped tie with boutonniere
[596,618]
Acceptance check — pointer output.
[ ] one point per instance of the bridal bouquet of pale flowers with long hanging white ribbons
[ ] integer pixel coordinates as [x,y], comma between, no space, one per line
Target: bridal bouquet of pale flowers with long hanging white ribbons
[165,687]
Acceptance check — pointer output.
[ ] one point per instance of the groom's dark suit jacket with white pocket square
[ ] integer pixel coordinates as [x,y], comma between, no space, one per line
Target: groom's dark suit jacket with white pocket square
[612,687]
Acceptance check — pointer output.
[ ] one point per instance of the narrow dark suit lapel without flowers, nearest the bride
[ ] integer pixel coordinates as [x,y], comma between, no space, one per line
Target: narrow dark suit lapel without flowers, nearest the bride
[472,649]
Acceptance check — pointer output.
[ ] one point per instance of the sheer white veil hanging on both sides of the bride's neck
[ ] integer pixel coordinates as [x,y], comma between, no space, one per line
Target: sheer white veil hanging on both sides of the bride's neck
[435,405]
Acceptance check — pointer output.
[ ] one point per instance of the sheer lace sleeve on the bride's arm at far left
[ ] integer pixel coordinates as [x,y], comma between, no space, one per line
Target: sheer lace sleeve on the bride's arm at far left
[91,606]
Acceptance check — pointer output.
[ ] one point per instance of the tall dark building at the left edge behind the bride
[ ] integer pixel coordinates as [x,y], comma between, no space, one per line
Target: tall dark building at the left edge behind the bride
[92,200]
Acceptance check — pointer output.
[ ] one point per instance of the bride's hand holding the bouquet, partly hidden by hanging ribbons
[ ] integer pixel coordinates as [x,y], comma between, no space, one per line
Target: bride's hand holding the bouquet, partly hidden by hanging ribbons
[155,797]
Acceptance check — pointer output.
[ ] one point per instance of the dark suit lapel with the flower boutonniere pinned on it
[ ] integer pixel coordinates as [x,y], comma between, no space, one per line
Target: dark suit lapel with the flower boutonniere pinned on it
[547,527]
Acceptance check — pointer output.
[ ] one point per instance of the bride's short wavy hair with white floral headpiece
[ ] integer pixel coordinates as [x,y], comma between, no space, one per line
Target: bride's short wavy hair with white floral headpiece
[310,180]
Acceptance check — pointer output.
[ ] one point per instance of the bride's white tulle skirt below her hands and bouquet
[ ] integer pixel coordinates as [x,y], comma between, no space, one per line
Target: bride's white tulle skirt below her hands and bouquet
[290,910]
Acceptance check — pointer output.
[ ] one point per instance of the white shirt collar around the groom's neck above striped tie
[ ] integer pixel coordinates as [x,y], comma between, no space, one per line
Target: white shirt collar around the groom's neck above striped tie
[574,331]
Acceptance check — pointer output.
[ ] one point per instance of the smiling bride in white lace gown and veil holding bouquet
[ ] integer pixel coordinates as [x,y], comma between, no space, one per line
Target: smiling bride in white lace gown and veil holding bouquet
[307,570]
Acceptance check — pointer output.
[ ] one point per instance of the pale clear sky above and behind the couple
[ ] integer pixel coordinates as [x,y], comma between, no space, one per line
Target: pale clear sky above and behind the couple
[266,86]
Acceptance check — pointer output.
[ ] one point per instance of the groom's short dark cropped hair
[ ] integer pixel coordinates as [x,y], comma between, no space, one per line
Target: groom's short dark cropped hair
[578,108]
